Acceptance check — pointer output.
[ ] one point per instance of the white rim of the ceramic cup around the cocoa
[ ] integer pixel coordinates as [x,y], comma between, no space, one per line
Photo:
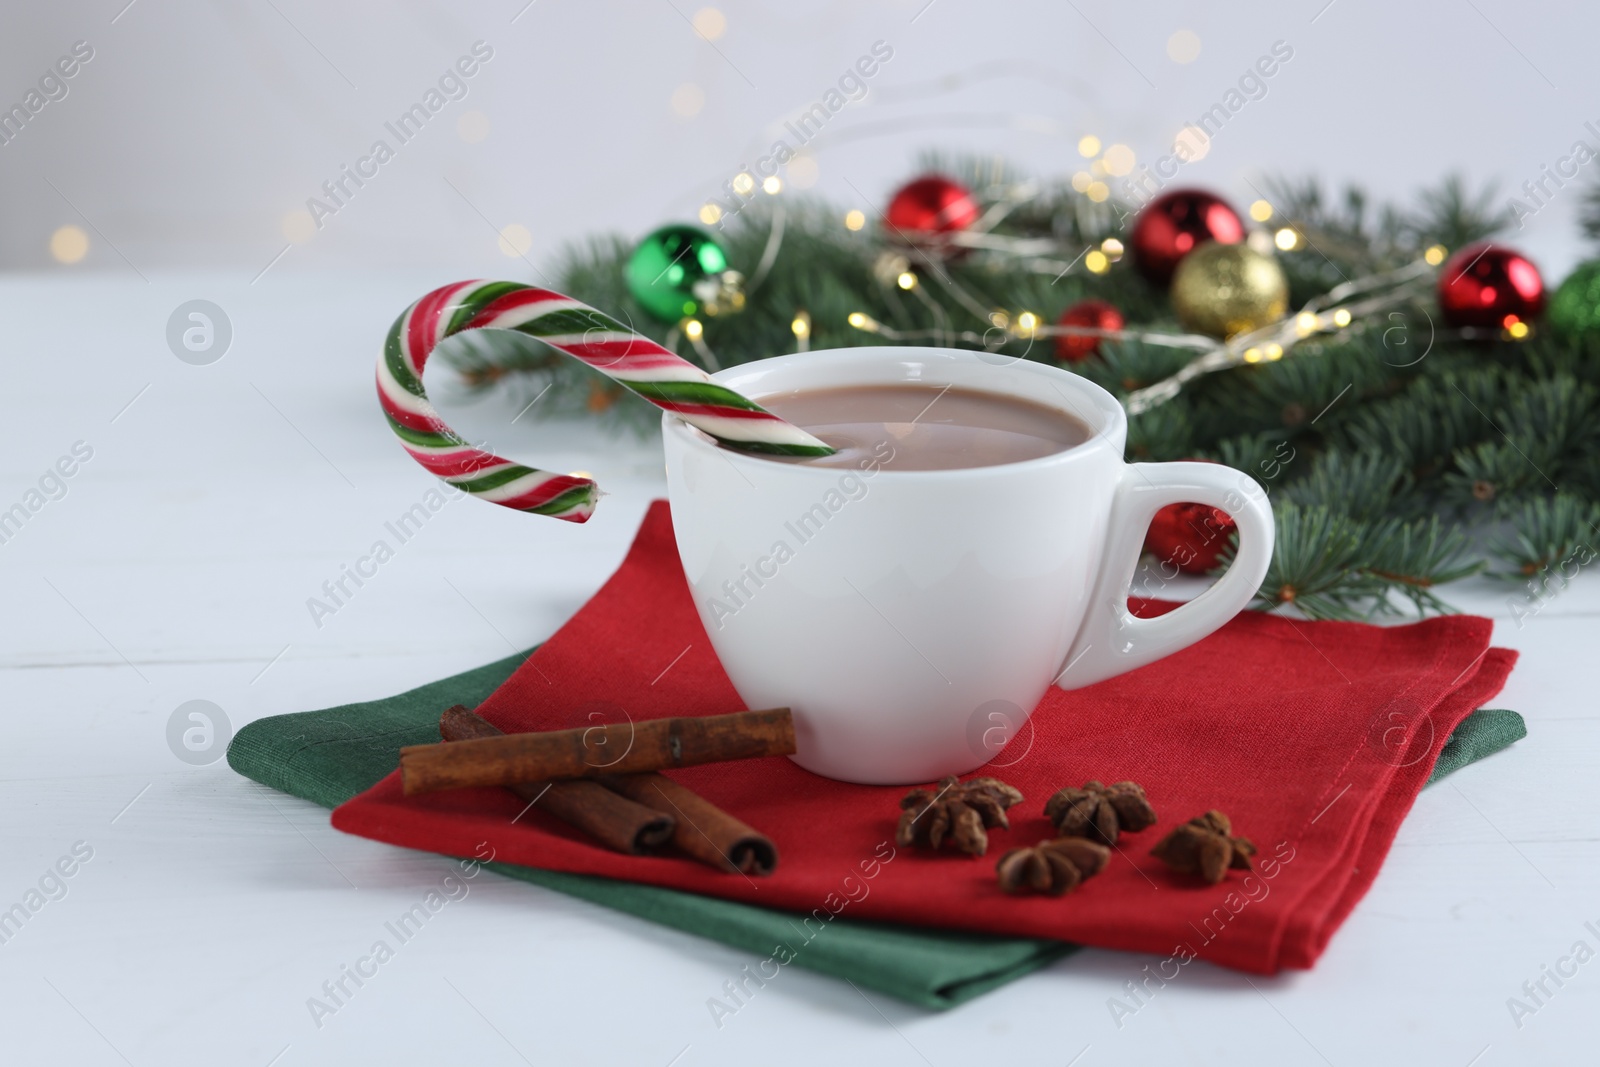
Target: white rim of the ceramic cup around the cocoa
[1108,422]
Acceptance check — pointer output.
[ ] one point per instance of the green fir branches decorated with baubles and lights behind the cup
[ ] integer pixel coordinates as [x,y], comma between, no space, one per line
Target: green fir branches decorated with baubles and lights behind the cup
[1370,447]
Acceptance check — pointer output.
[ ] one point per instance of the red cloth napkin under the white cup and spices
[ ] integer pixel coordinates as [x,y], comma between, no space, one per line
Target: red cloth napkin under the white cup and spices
[1314,737]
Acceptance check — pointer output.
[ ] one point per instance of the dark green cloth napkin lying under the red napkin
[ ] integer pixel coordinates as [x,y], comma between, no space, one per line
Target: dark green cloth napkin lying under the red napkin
[334,754]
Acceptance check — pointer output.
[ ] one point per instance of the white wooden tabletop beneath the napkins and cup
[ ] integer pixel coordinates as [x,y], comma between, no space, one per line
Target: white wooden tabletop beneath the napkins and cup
[178,565]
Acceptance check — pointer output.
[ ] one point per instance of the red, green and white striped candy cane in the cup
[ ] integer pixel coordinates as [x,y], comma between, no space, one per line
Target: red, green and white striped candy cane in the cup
[639,364]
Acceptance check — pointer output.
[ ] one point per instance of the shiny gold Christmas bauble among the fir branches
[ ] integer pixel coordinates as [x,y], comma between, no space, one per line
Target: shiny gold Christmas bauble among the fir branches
[1225,290]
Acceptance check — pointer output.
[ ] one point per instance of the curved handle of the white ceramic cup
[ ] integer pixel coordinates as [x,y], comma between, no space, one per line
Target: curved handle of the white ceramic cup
[1111,639]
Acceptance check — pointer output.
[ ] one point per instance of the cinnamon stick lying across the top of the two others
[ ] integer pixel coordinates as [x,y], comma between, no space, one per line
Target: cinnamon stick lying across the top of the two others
[590,753]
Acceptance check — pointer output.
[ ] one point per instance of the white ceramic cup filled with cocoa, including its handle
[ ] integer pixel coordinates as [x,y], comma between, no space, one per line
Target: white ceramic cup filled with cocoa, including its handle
[913,620]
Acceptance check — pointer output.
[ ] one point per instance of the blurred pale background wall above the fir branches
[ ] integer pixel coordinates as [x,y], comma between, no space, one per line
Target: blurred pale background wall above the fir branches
[201,129]
